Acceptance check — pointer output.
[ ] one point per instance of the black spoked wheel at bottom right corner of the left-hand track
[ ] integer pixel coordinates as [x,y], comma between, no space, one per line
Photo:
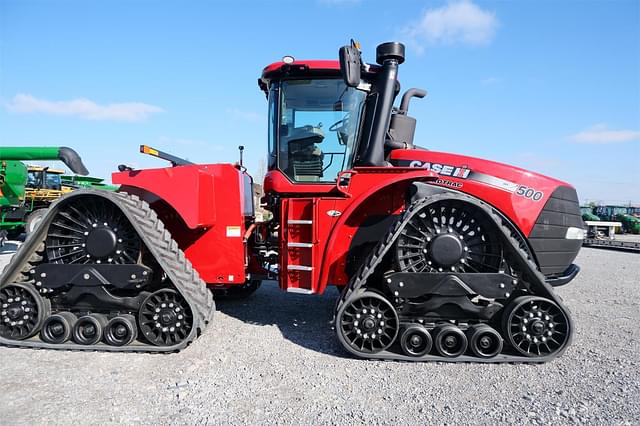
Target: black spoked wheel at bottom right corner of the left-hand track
[165,318]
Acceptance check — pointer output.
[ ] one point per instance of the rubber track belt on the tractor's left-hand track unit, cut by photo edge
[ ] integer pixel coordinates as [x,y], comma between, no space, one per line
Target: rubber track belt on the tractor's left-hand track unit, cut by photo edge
[157,240]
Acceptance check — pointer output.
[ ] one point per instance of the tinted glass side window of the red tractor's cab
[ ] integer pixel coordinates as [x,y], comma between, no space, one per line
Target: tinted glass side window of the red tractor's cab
[317,128]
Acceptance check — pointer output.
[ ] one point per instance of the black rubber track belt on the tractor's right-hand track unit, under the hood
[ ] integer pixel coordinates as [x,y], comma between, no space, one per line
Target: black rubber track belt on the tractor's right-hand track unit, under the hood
[519,256]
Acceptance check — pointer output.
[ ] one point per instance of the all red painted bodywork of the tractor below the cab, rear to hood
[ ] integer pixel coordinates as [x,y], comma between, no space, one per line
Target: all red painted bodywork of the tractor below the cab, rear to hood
[198,203]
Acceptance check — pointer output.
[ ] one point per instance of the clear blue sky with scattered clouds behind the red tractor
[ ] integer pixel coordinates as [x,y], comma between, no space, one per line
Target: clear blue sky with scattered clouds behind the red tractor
[547,85]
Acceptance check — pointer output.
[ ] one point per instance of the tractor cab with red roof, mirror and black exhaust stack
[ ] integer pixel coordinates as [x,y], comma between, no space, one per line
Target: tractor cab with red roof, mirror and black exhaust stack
[326,117]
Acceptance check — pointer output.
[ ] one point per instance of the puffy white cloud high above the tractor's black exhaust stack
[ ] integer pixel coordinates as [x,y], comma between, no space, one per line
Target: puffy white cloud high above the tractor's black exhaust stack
[458,22]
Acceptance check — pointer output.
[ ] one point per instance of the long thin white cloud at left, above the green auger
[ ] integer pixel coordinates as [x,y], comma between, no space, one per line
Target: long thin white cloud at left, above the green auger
[83,108]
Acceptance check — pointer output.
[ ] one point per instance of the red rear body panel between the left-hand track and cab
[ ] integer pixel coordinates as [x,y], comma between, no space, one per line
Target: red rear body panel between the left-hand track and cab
[208,199]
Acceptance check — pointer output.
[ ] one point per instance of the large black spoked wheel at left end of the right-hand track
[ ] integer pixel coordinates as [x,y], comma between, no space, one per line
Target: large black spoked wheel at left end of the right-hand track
[367,324]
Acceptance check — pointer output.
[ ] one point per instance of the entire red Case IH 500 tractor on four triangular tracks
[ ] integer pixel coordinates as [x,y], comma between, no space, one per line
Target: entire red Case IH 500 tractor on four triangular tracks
[438,256]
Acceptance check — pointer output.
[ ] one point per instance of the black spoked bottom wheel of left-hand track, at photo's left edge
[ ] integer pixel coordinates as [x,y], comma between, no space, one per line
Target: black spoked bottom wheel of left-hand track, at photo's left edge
[22,311]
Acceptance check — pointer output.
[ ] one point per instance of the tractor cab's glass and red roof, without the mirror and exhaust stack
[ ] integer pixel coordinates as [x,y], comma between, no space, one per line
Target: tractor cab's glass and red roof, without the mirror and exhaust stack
[314,120]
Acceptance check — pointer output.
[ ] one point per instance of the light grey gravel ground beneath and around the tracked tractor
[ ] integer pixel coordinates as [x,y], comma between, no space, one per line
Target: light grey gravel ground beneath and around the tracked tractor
[273,359]
